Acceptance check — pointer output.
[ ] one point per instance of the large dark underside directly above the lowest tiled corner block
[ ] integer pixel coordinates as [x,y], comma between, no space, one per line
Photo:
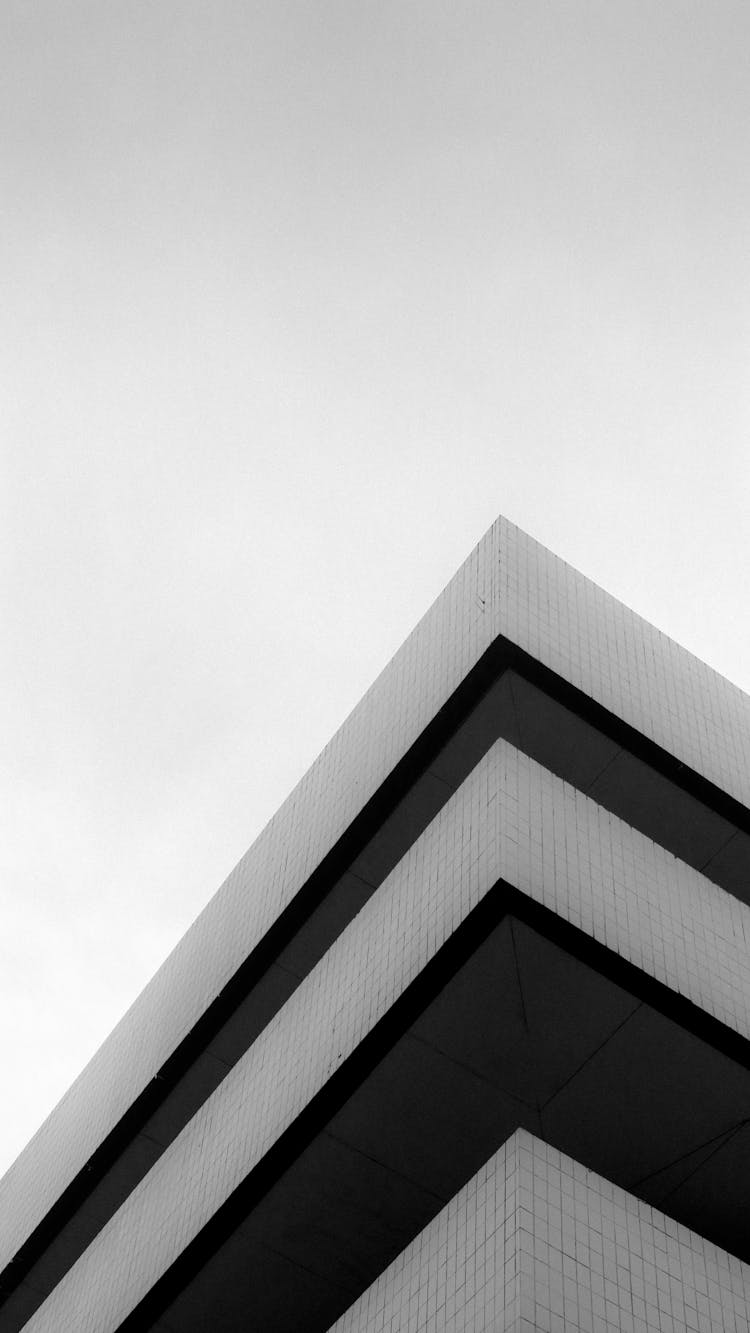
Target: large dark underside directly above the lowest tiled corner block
[520,1020]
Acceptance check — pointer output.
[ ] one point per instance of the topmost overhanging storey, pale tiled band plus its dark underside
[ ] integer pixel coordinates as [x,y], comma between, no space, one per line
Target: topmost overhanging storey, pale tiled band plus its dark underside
[519,647]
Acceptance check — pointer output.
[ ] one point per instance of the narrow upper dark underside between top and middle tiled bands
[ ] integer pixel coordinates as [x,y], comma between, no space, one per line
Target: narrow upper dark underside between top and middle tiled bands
[507,695]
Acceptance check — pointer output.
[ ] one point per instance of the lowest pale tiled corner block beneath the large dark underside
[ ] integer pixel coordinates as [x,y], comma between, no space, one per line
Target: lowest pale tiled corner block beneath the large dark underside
[539,1243]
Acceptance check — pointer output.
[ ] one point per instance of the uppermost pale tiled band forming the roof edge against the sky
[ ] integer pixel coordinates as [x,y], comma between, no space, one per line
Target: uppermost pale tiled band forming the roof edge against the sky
[685,714]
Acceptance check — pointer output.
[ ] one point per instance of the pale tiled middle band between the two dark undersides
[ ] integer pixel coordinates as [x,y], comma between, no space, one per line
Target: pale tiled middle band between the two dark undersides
[512,820]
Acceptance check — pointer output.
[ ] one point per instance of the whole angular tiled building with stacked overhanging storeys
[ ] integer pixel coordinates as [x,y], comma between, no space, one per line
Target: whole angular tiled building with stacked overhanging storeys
[464,1040]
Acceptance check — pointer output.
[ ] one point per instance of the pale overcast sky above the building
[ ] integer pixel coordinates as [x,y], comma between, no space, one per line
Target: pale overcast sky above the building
[296,298]
